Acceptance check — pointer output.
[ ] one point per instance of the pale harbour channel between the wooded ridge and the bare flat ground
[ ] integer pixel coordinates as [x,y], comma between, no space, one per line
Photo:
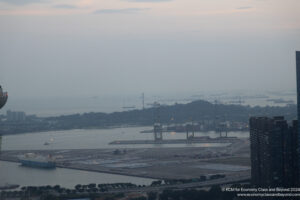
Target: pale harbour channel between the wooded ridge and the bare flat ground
[97,139]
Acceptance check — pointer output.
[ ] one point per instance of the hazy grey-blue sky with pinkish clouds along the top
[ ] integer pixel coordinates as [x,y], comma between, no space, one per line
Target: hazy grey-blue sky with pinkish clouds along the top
[101,47]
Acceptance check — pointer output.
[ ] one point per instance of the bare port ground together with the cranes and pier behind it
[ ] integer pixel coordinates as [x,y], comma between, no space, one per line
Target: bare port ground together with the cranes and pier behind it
[224,155]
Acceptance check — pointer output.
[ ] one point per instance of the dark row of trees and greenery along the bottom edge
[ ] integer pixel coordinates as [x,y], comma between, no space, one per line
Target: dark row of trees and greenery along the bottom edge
[93,192]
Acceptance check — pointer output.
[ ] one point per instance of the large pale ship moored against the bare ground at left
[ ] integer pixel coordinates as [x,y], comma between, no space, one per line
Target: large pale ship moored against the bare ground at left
[33,160]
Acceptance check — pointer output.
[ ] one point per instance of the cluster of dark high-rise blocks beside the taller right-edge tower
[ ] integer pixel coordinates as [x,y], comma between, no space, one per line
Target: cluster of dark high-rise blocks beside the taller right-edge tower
[273,152]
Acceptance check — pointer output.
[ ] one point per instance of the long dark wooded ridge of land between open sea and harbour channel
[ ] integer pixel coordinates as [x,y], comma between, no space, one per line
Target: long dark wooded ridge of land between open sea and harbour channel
[201,112]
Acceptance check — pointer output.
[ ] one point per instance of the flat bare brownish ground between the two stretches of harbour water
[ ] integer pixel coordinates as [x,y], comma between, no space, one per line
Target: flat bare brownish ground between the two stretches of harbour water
[157,163]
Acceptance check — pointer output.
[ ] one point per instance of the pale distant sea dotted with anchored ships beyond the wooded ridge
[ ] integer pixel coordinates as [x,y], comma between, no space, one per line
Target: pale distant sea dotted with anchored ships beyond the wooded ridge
[54,106]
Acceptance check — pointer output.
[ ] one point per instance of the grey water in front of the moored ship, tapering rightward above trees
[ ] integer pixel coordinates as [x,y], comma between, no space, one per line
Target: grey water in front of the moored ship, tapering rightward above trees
[14,173]
